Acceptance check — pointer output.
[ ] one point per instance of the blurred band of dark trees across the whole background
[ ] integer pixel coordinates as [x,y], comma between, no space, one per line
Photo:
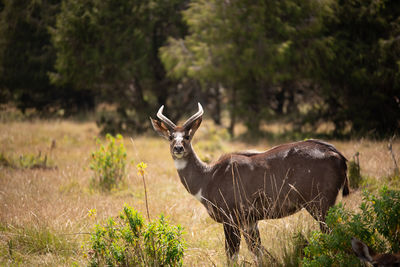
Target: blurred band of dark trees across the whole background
[307,63]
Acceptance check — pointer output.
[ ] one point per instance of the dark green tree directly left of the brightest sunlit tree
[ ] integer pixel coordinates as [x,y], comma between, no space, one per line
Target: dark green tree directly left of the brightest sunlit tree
[111,47]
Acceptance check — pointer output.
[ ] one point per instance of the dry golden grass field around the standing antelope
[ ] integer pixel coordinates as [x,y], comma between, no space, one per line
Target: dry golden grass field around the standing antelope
[44,213]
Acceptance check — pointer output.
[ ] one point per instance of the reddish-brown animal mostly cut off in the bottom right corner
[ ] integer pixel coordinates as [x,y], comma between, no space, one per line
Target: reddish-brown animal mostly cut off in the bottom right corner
[379,260]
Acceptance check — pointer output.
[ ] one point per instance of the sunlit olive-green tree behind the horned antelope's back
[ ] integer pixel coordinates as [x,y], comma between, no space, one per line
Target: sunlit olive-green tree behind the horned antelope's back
[248,47]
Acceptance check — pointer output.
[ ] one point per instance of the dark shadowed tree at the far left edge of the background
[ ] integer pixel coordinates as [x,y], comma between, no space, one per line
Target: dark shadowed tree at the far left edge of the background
[26,57]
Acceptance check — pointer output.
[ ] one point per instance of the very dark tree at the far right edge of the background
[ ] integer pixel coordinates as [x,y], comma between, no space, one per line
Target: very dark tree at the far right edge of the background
[359,73]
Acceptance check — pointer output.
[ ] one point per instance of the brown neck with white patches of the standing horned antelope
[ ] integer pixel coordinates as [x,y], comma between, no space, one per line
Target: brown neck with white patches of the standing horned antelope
[193,172]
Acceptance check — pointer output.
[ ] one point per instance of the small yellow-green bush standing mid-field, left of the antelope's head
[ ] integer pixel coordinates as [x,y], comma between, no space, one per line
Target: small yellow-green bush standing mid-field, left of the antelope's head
[109,163]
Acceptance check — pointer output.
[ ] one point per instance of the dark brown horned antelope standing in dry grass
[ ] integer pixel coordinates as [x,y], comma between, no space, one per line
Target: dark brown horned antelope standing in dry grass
[241,188]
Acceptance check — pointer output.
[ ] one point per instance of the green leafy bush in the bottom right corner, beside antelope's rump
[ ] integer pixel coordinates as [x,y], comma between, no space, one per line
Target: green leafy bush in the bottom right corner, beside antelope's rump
[378,225]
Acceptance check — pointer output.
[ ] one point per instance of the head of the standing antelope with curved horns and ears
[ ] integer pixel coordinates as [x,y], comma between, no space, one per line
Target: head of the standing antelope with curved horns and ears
[179,137]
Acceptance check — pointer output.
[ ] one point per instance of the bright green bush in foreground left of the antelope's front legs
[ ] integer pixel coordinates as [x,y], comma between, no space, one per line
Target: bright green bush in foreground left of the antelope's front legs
[129,241]
